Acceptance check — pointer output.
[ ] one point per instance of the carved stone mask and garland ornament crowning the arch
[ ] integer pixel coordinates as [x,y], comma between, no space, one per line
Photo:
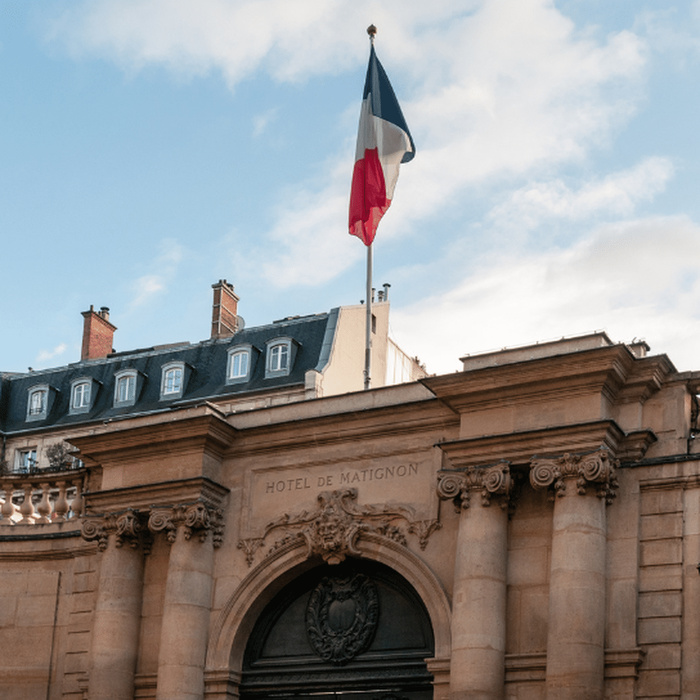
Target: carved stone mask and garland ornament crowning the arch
[332,530]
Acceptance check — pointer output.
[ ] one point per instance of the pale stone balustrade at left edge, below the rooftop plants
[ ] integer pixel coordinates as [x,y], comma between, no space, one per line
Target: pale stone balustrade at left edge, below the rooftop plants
[41,498]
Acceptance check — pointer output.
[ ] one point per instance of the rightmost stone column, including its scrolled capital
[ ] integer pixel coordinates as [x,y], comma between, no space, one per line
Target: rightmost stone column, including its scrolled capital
[576,627]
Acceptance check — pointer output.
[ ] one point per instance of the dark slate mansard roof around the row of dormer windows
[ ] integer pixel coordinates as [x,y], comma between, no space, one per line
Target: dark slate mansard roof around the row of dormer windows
[205,376]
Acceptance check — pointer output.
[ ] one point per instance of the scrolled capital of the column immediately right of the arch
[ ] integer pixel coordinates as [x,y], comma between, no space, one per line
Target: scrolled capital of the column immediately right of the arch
[490,481]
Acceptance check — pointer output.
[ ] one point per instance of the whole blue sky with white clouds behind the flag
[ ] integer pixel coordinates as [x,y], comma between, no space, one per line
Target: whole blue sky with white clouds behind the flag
[149,148]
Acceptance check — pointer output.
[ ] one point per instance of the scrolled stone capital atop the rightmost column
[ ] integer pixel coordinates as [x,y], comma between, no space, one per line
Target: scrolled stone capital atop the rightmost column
[595,469]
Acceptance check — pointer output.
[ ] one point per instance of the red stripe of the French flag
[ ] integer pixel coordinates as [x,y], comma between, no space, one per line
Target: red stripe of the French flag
[368,201]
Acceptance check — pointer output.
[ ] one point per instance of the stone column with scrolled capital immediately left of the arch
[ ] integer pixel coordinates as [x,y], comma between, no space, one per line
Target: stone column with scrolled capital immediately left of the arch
[187,602]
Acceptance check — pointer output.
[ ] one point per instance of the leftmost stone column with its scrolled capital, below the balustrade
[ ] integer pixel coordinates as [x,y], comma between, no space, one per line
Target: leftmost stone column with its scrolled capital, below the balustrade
[115,632]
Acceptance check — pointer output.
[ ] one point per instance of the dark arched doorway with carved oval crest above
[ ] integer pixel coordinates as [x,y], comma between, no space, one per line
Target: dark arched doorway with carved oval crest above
[353,631]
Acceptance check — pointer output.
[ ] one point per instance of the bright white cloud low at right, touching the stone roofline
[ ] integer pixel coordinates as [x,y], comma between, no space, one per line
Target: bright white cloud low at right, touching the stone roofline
[631,278]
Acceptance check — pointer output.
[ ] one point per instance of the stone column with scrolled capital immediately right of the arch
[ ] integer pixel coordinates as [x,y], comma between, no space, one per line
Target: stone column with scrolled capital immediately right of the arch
[479,598]
